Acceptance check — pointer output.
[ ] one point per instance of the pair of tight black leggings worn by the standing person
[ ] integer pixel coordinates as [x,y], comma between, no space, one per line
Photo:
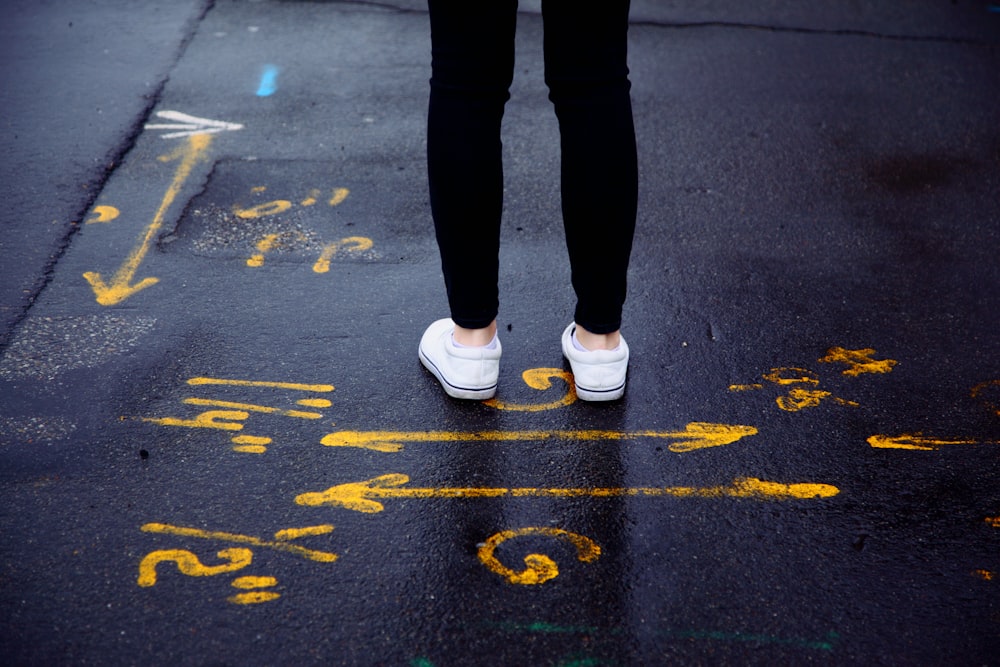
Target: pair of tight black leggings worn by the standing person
[587,76]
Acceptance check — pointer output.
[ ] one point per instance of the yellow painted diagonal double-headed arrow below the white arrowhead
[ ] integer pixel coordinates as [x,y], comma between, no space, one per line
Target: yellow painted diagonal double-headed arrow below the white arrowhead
[121,286]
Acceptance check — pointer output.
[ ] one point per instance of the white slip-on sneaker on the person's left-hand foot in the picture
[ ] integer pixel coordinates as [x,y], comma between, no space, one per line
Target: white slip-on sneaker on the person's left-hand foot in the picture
[464,372]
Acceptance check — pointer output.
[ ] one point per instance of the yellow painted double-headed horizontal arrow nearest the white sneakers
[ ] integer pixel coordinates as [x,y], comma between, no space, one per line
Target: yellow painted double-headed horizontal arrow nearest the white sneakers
[696,435]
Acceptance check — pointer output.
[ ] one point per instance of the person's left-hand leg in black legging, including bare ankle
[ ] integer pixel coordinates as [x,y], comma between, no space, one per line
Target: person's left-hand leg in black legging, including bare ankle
[472,68]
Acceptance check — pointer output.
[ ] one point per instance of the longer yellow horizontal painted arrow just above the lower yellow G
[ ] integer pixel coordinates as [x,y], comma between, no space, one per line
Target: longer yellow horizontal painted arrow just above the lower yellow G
[359,496]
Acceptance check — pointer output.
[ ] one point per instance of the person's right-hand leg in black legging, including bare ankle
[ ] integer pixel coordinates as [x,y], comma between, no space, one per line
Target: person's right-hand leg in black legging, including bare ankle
[587,74]
